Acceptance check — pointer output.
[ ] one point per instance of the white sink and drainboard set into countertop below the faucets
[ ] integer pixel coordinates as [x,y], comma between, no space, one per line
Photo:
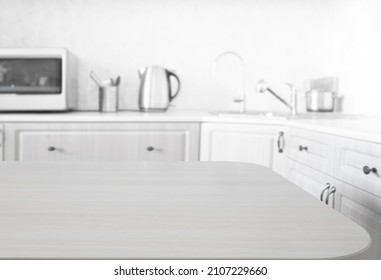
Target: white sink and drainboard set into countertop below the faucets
[285,115]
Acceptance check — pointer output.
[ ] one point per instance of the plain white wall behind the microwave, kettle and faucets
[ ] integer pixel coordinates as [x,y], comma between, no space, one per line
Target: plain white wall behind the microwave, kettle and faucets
[280,40]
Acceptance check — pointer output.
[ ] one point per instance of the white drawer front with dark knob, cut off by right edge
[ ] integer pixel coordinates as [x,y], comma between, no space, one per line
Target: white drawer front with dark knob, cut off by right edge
[352,157]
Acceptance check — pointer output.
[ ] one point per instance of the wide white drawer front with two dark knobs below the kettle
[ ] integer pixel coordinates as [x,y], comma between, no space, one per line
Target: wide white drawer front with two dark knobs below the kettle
[101,141]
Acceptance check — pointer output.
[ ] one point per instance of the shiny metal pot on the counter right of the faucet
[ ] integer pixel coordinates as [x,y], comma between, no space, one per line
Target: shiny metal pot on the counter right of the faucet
[320,101]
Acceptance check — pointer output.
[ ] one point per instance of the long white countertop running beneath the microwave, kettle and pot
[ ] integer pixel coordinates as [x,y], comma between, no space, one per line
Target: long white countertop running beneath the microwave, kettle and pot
[363,128]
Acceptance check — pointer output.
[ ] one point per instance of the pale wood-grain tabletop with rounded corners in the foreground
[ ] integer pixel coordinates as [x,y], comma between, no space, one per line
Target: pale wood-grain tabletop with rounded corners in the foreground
[173,210]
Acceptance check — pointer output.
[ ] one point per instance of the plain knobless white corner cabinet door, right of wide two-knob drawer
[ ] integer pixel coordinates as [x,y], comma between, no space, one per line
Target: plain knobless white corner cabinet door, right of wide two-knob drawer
[238,143]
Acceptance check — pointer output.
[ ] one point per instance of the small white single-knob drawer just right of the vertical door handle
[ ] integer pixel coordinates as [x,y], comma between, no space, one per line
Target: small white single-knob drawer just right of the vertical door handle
[310,148]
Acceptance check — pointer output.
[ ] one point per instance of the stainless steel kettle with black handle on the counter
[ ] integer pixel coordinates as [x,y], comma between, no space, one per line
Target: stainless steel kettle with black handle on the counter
[155,91]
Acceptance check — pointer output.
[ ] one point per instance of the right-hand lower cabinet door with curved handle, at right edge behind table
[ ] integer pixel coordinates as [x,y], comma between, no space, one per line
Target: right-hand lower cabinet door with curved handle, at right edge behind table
[362,208]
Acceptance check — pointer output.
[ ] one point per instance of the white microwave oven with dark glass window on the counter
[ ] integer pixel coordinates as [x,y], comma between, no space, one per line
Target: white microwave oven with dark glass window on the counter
[37,79]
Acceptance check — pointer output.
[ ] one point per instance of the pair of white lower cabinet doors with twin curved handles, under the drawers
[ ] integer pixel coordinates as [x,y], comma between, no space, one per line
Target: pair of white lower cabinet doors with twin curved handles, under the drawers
[357,205]
